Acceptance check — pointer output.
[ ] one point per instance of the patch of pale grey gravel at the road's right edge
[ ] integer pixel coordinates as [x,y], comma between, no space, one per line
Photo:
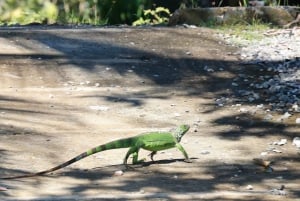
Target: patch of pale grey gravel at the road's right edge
[277,58]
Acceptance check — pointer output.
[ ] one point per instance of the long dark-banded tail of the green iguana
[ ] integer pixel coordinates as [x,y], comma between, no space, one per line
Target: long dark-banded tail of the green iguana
[122,143]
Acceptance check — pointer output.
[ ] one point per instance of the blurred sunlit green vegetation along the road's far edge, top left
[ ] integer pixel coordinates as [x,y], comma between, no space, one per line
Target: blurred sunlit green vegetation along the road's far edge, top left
[71,11]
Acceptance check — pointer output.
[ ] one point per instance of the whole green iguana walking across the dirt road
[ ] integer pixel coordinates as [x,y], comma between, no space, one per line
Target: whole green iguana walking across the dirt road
[151,141]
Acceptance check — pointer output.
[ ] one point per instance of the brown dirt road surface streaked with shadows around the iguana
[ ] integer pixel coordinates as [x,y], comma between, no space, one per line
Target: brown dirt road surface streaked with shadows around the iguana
[66,90]
